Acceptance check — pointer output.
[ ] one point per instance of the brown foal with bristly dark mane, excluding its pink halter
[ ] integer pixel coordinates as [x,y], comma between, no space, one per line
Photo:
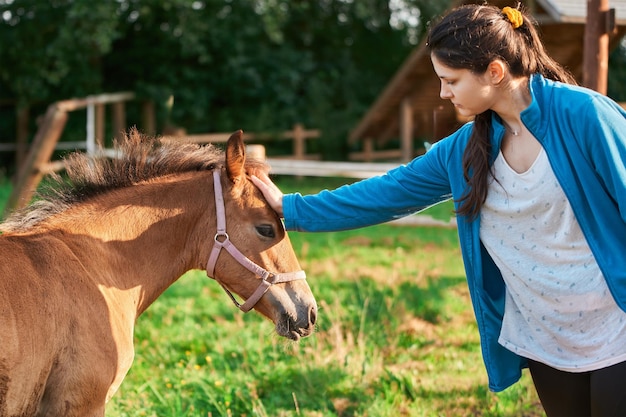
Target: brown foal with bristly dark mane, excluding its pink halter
[79,268]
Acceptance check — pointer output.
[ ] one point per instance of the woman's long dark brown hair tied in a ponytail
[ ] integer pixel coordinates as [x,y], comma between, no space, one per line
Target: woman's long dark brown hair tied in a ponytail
[471,37]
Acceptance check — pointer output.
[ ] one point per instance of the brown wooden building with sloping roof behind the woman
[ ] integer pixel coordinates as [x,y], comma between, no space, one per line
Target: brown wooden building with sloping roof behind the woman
[409,110]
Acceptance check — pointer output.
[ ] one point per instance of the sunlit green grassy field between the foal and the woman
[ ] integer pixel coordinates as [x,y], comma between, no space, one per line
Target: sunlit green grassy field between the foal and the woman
[395,337]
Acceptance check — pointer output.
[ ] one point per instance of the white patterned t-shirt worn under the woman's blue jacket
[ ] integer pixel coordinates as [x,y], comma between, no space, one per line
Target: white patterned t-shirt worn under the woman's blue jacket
[558,308]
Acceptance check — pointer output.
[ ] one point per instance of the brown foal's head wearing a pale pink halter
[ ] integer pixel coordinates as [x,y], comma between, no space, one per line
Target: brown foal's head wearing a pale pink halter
[268,274]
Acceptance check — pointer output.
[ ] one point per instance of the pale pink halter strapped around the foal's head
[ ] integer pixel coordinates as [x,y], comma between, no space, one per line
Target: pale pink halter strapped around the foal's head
[222,240]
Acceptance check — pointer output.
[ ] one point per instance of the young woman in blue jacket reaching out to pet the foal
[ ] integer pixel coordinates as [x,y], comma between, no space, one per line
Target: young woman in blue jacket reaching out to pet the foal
[539,184]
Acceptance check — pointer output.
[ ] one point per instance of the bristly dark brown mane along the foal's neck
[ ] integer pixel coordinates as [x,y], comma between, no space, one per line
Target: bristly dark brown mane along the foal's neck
[138,158]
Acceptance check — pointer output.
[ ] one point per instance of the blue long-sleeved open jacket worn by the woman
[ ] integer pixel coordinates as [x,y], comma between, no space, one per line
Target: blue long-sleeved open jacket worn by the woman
[584,136]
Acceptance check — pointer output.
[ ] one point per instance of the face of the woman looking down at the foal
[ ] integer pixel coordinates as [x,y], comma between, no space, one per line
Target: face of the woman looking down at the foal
[471,94]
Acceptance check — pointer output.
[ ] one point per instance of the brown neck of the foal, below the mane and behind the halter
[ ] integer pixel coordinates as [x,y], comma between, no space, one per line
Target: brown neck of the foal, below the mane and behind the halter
[141,239]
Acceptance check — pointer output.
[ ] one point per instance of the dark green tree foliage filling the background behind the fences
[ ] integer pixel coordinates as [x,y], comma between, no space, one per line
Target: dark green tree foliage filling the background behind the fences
[257,65]
